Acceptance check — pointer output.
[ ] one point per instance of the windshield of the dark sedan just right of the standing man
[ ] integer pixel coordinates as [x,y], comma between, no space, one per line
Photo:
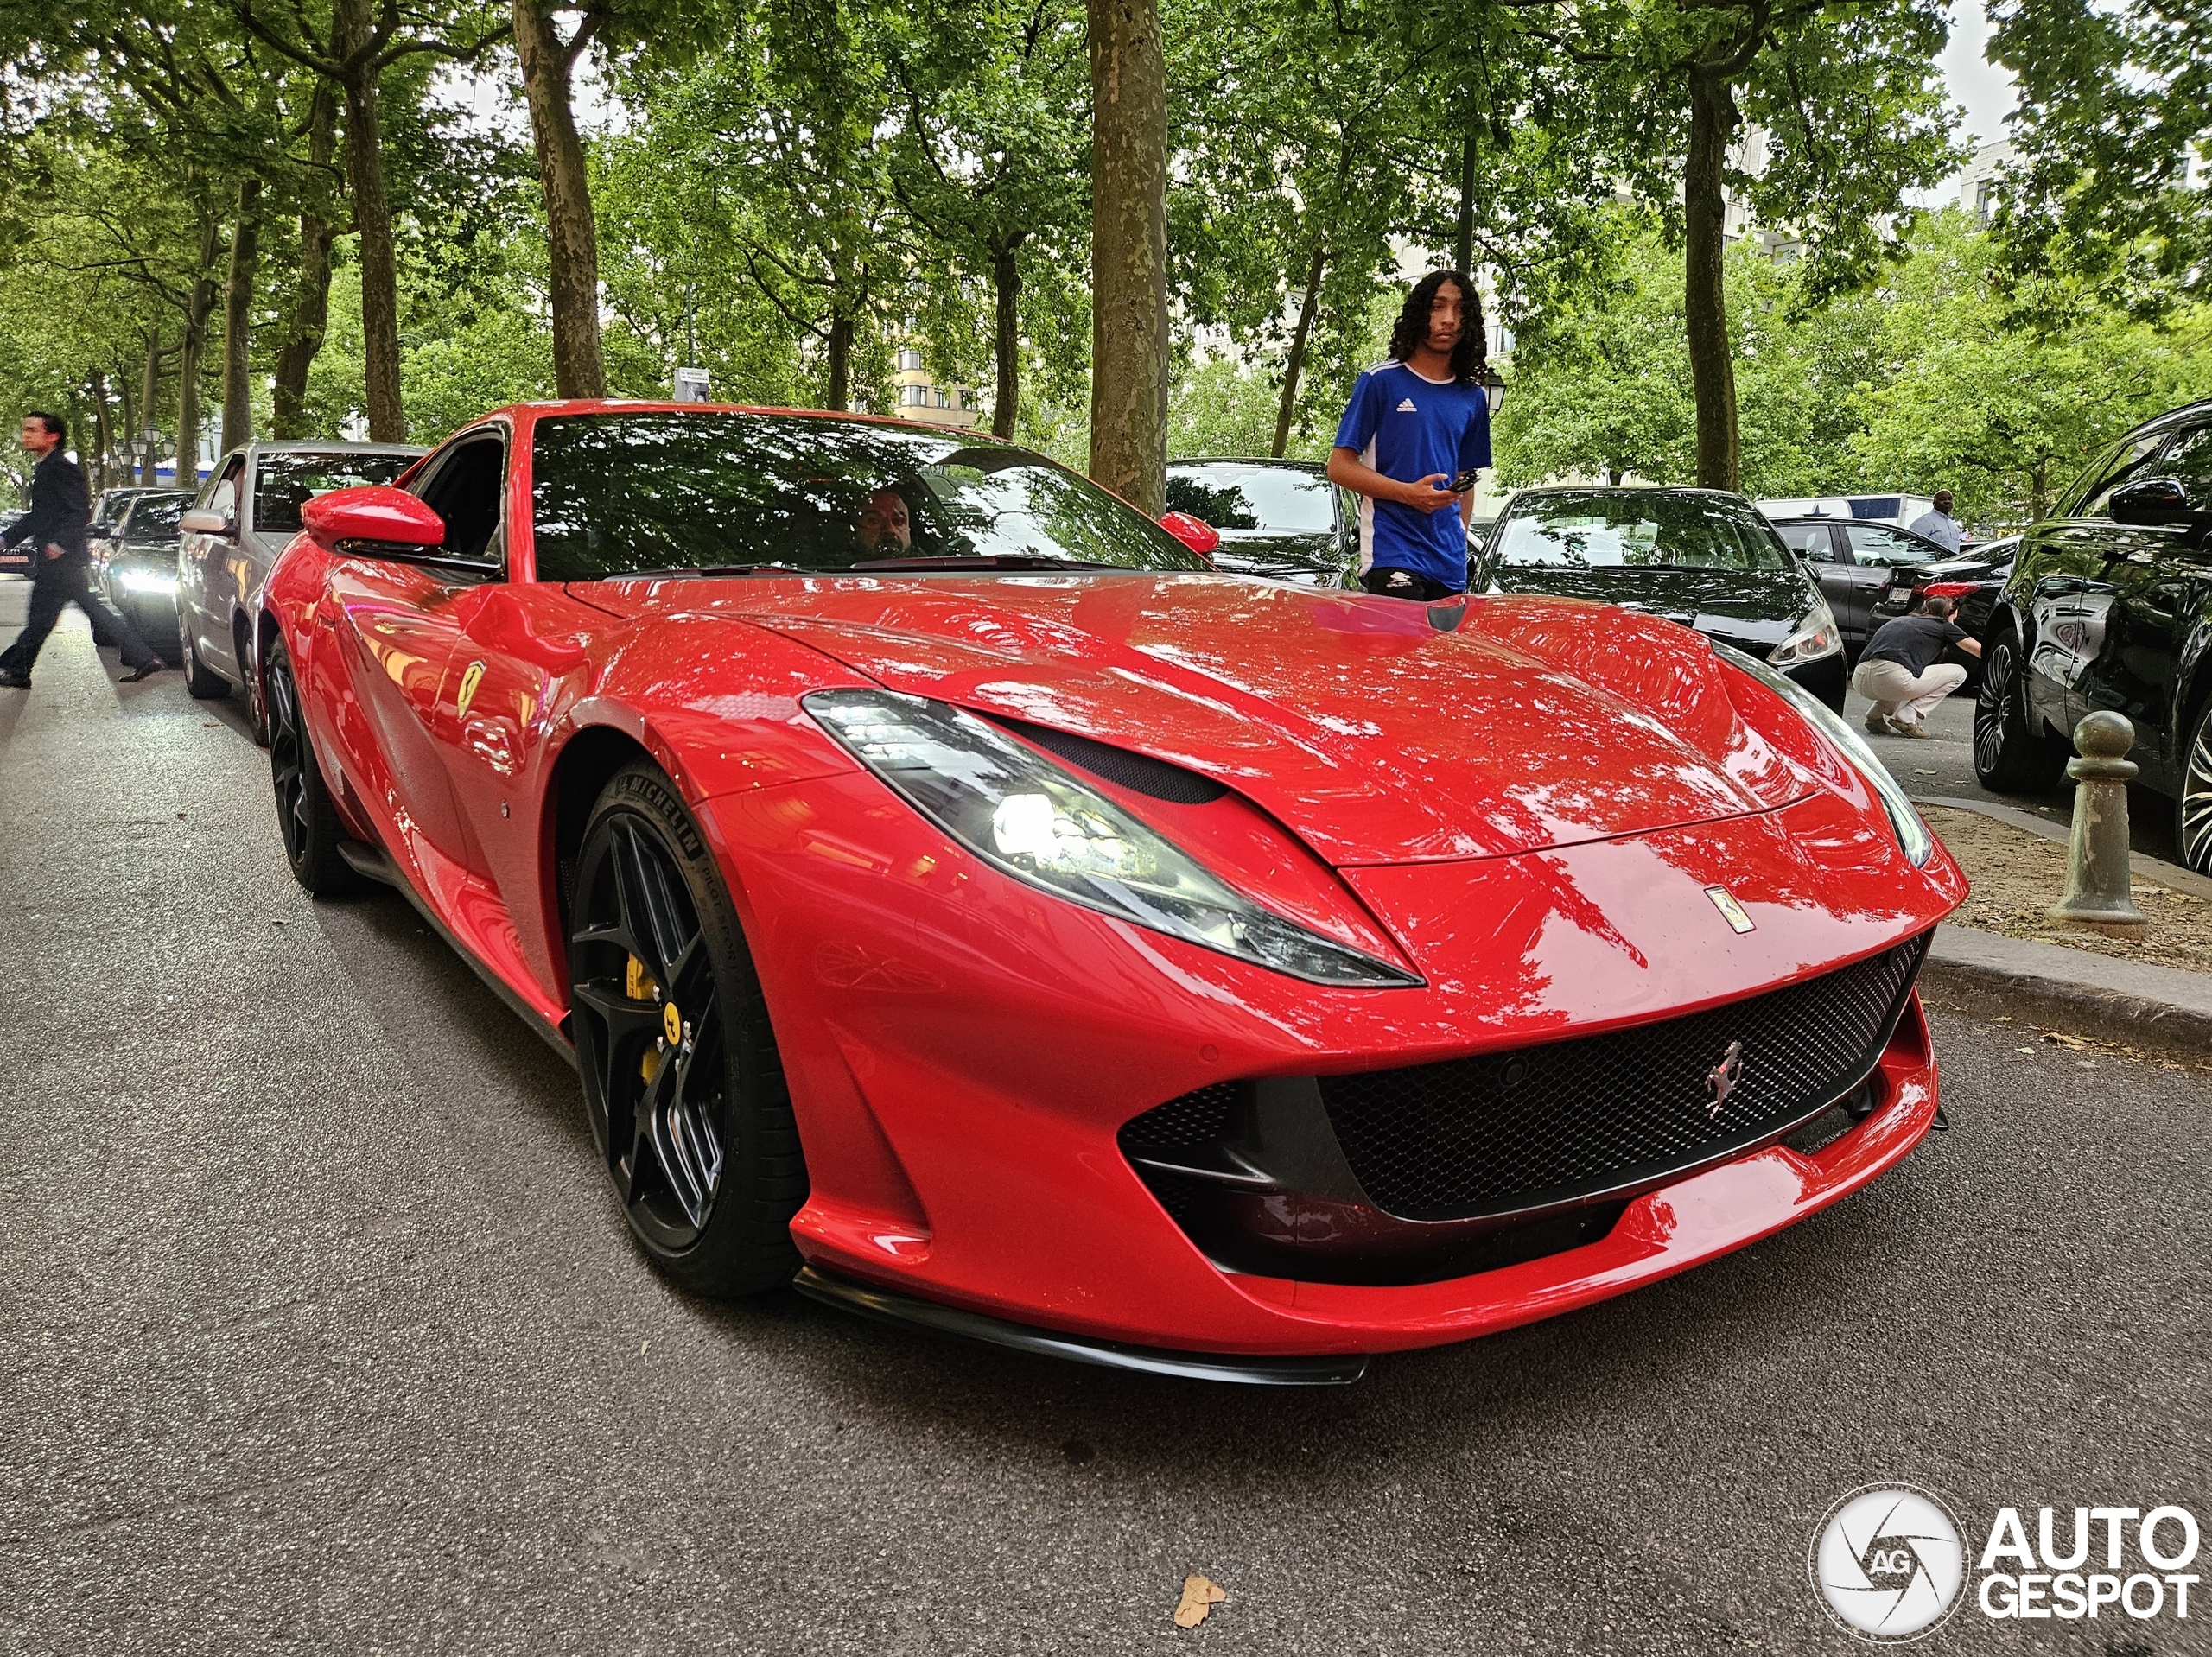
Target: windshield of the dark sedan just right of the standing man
[1638,530]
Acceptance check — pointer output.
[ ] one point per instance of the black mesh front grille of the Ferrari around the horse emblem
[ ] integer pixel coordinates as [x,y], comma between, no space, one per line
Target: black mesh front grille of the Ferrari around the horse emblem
[1507,1132]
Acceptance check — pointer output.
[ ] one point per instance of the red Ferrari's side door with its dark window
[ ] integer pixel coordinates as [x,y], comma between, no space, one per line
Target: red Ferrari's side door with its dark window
[397,623]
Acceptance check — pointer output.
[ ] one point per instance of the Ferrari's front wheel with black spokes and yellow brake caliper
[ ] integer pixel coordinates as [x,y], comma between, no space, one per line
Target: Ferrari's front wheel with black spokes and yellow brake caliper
[682,1078]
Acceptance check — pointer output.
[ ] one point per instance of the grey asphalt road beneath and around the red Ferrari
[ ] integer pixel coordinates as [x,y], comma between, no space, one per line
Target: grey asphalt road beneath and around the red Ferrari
[317,1331]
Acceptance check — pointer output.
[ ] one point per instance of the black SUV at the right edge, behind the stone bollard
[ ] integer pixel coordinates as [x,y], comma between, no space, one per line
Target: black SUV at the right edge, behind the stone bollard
[2111,607]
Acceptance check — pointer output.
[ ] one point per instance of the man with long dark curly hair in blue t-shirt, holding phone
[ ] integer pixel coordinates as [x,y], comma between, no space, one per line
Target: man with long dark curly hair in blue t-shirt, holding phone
[1419,426]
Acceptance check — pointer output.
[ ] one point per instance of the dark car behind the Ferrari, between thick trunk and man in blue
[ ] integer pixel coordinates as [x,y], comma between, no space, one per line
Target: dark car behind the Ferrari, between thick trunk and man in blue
[1280,519]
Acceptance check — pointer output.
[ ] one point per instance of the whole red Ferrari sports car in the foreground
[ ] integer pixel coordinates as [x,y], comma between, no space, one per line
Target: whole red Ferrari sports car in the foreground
[963,902]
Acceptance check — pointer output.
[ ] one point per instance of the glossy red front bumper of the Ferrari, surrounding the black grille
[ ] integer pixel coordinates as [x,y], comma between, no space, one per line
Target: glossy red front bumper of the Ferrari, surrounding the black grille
[963,1052]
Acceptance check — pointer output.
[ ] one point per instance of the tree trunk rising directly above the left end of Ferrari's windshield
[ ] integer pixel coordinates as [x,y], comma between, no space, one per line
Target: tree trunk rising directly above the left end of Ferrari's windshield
[572,233]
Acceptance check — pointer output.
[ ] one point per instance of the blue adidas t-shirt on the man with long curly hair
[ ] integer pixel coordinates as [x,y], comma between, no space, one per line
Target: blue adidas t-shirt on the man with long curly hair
[1410,428]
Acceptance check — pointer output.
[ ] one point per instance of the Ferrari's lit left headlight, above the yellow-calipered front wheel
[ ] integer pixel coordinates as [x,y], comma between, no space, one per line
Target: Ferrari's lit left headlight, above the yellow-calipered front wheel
[1025,815]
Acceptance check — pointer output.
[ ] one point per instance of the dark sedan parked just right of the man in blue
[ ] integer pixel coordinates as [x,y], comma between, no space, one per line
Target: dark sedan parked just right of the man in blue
[1695,556]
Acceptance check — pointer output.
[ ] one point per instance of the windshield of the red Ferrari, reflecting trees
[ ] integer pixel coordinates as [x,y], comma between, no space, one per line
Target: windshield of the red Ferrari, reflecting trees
[618,494]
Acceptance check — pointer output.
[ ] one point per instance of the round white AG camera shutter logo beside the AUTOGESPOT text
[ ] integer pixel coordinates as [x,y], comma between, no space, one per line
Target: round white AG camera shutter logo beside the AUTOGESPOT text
[1888,1563]
